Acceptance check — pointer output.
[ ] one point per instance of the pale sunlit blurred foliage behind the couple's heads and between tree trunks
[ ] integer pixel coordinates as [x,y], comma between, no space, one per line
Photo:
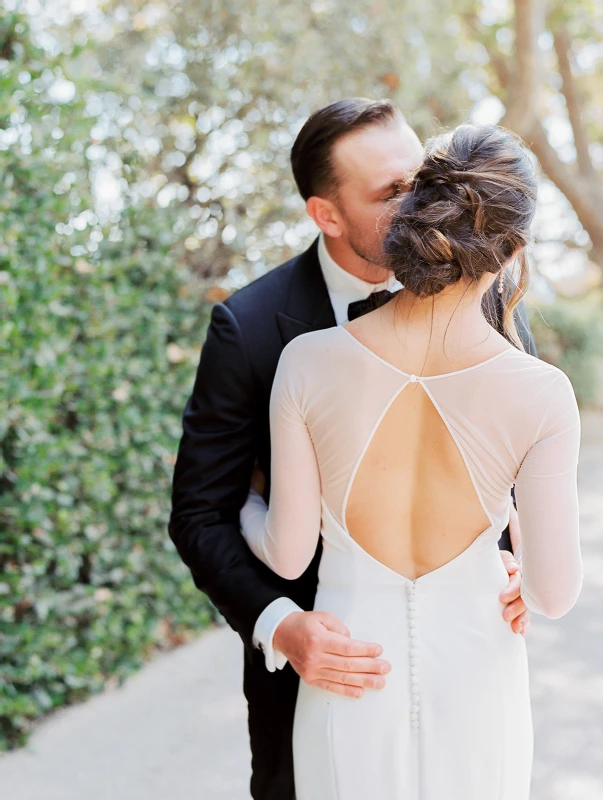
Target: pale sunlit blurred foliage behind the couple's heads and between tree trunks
[211,95]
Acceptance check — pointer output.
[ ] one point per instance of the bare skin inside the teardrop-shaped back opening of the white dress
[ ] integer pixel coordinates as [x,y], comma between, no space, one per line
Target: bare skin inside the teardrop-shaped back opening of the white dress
[412,503]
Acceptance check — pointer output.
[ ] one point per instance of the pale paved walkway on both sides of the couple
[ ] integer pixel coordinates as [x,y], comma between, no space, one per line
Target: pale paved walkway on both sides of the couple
[176,731]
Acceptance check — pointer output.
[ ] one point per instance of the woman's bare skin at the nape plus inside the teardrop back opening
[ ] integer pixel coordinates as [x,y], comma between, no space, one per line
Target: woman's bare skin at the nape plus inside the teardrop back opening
[413,504]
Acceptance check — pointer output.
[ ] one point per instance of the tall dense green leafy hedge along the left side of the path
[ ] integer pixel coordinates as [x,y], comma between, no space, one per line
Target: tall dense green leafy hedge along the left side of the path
[99,336]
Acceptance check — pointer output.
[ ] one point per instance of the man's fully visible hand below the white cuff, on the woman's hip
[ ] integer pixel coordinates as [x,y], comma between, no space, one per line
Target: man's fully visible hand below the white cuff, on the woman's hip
[323,654]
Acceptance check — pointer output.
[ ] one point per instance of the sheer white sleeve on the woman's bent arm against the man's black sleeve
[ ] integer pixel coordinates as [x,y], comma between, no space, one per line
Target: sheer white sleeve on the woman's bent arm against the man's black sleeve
[285,535]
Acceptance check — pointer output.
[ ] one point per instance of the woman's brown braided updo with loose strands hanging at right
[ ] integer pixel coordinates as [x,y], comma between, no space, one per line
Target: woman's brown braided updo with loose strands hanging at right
[469,208]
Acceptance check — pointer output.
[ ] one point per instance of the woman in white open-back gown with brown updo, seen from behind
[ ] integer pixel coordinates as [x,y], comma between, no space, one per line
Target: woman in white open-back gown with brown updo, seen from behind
[398,438]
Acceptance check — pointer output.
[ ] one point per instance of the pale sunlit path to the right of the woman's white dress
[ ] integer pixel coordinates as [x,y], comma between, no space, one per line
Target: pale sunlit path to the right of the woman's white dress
[566,658]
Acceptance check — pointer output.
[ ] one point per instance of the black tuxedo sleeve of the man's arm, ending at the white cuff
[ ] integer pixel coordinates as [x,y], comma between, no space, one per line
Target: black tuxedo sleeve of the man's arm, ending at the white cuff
[211,480]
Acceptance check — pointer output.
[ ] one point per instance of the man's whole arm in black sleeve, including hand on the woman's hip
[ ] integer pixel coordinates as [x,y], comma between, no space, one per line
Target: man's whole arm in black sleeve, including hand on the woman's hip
[211,482]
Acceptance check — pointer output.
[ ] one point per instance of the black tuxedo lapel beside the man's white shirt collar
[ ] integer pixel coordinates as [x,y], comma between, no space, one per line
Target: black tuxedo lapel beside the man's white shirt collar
[308,304]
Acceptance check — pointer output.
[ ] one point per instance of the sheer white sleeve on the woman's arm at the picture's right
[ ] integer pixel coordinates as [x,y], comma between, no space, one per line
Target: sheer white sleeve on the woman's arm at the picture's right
[547,504]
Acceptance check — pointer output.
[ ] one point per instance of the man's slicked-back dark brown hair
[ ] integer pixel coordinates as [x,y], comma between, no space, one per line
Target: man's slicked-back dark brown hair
[311,160]
